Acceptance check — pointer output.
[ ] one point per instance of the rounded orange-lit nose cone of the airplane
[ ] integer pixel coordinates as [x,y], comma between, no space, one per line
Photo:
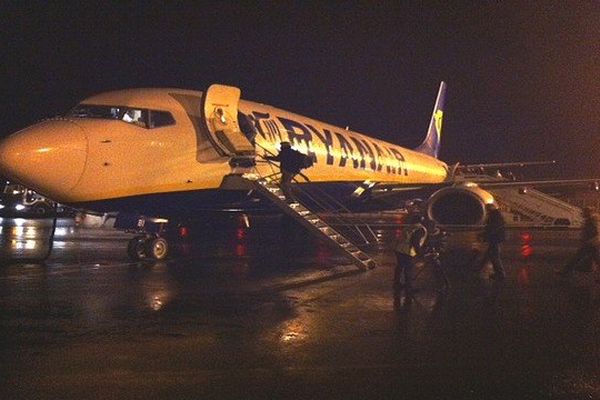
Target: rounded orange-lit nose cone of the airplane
[48,157]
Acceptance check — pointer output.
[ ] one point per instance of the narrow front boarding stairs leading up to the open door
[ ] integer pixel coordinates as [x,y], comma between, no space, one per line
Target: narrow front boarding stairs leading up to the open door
[270,189]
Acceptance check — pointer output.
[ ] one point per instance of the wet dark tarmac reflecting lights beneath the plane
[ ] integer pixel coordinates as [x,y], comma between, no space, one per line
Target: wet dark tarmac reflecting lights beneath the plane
[265,312]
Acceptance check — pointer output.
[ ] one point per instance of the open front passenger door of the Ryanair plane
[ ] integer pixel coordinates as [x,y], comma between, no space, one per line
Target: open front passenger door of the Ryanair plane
[220,114]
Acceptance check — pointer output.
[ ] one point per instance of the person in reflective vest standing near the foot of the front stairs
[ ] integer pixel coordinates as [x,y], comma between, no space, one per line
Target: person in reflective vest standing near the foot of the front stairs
[407,249]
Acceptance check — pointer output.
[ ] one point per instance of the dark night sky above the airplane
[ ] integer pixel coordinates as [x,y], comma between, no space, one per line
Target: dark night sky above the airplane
[523,77]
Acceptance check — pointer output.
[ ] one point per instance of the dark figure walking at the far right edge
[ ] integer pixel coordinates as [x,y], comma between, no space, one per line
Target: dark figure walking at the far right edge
[587,253]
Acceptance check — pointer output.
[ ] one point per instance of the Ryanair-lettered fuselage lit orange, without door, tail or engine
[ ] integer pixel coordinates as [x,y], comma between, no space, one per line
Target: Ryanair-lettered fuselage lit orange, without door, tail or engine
[80,160]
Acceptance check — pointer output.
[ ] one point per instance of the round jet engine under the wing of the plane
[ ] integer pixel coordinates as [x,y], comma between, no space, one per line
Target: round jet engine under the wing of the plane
[461,204]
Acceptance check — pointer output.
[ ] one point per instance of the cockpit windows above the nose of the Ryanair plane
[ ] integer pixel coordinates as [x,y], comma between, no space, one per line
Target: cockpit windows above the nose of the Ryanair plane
[137,116]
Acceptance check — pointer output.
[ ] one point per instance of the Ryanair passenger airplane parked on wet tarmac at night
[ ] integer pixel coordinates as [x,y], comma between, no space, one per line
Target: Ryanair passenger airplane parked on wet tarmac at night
[166,152]
